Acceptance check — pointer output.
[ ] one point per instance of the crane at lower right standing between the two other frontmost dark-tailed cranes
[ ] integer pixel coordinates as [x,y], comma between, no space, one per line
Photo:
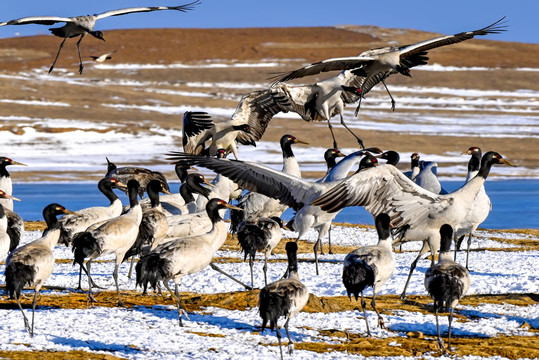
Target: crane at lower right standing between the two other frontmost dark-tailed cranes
[370,265]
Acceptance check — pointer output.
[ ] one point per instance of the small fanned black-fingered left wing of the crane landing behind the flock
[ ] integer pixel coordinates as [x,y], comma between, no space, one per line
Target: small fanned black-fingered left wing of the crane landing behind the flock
[196,125]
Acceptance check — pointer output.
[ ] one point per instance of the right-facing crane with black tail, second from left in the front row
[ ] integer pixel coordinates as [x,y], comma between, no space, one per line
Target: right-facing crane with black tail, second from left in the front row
[114,236]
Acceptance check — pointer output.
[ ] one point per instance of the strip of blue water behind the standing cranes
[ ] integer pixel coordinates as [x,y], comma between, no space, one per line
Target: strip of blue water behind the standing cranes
[515,203]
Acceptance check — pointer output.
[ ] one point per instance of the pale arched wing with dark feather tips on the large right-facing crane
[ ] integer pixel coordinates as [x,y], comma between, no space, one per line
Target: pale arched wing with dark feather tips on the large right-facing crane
[384,189]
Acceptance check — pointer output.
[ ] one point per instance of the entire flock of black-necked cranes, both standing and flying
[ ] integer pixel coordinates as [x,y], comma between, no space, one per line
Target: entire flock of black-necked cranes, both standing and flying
[176,235]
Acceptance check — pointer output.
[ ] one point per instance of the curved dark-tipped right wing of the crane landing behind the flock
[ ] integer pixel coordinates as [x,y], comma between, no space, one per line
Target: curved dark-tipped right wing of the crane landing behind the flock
[257,108]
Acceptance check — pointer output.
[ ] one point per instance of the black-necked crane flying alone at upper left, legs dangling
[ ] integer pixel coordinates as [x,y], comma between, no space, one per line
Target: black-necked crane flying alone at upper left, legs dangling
[84,25]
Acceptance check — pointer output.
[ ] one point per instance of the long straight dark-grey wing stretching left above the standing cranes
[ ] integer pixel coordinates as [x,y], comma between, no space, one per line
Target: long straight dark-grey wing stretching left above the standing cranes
[289,190]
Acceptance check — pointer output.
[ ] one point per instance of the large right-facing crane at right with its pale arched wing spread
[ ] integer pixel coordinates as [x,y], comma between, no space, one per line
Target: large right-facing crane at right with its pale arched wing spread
[416,214]
